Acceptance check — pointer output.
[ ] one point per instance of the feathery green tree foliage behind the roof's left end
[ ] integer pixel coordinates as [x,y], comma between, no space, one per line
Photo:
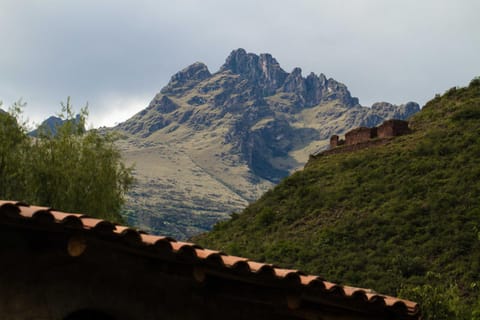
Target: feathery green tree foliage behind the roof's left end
[74,170]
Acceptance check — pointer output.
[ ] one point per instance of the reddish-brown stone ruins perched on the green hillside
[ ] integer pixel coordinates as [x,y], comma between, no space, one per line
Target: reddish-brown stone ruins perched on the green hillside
[389,128]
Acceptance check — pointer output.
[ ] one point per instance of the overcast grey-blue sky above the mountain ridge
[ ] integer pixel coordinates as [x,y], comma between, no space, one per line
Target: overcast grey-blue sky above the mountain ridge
[118,54]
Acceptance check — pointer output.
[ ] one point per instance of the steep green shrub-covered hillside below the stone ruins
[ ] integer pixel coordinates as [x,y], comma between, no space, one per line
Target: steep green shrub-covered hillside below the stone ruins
[403,218]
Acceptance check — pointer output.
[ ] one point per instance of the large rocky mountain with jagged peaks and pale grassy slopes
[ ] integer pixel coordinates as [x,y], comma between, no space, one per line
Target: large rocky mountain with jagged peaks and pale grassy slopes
[208,144]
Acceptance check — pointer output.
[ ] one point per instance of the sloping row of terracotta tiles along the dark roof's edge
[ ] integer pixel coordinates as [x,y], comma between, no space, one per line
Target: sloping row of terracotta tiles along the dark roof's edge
[43,214]
